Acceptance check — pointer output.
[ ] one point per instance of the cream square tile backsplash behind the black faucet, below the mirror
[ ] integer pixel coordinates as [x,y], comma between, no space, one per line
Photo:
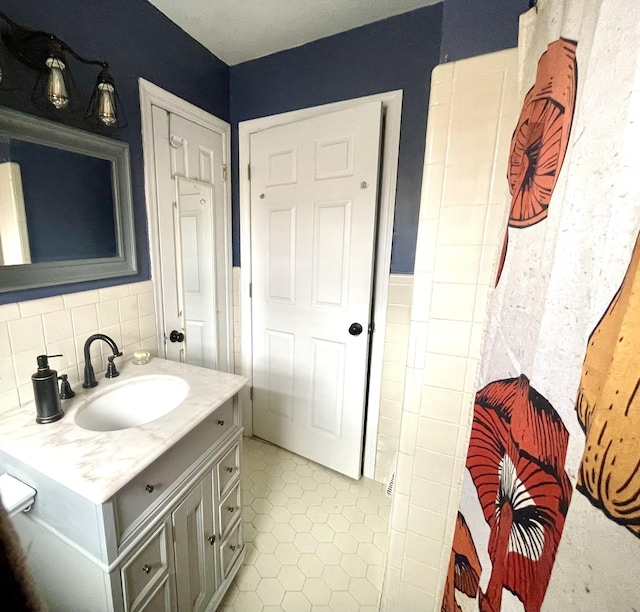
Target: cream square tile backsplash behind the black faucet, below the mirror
[61,324]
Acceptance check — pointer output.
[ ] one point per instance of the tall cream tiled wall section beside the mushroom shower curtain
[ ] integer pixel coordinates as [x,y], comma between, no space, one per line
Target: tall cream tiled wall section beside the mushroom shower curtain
[461,227]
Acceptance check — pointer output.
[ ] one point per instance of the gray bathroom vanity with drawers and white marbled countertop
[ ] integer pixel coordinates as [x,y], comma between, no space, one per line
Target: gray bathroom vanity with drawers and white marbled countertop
[141,518]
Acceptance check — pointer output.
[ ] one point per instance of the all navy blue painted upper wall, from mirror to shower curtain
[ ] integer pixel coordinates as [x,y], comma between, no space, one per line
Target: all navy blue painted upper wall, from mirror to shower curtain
[397,53]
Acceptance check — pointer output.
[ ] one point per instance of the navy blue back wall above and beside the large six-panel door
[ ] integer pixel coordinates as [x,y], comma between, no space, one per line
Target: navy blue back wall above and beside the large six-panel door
[397,53]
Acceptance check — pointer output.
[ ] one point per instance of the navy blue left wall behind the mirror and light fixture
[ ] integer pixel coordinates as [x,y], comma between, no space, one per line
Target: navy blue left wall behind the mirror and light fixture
[137,41]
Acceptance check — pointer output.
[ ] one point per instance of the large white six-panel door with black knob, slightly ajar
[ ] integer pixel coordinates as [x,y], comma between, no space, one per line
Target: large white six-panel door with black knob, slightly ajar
[313,221]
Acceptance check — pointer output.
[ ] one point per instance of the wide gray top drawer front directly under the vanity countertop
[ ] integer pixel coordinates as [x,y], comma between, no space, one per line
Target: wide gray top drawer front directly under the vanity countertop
[149,486]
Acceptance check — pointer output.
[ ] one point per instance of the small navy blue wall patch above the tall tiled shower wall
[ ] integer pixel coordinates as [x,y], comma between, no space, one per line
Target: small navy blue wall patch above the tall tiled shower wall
[475,27]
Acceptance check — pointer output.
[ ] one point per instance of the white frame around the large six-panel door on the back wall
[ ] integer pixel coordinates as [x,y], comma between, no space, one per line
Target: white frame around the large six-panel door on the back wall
[392,104]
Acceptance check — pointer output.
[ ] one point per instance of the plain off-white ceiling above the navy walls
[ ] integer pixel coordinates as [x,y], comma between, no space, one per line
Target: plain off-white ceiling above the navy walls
[241,30]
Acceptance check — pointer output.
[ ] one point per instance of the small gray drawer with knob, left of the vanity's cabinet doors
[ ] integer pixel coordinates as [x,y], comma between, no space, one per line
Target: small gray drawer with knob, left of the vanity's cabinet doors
[147,567]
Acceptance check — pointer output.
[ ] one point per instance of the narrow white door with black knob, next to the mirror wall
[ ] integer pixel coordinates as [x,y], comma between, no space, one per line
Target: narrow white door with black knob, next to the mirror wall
[191,228]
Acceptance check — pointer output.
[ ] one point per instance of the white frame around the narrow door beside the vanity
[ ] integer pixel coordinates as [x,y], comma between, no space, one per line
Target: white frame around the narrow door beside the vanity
[152,95]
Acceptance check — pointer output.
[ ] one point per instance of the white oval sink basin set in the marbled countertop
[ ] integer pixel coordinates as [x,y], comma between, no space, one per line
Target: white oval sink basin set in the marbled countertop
[132,403]
